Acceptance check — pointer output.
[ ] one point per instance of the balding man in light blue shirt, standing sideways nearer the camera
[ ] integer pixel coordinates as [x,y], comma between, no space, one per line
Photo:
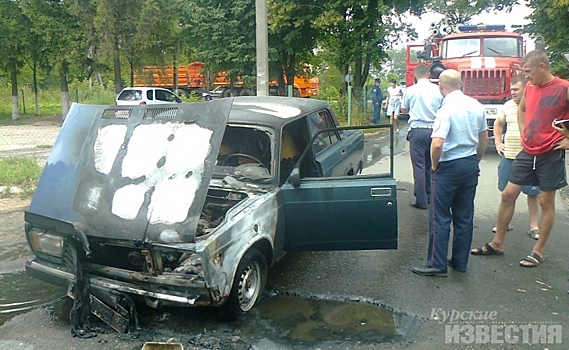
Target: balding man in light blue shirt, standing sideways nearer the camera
[459,140]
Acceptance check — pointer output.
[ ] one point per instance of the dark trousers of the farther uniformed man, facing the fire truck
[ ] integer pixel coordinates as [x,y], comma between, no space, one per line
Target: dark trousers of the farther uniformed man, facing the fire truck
[420,149]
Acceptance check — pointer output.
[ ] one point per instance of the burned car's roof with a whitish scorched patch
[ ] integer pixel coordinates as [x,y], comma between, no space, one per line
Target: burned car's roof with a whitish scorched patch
[272,110]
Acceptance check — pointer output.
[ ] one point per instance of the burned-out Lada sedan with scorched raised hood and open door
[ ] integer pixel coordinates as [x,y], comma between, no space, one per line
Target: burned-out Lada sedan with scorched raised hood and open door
[191,204]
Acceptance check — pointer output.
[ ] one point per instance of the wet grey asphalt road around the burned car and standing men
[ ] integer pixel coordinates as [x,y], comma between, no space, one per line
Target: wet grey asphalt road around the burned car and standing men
[495,287]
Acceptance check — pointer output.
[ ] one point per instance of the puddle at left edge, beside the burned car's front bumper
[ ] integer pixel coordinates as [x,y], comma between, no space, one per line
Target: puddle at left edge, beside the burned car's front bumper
[20,293]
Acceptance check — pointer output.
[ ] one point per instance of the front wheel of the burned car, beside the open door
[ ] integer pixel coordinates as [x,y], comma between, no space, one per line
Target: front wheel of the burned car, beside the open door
[248,285]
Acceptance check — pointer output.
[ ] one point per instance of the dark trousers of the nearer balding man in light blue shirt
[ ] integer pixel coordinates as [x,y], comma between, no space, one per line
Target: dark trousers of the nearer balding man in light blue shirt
[453,190]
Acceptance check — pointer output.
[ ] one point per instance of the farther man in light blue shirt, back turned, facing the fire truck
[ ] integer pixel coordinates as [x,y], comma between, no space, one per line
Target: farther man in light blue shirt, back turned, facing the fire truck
[421,101]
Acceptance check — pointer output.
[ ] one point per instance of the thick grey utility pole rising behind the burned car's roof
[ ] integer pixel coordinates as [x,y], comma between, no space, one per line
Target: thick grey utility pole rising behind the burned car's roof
[262,48]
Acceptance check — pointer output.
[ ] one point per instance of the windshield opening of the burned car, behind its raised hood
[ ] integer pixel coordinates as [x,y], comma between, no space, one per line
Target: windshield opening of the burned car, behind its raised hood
[245,154]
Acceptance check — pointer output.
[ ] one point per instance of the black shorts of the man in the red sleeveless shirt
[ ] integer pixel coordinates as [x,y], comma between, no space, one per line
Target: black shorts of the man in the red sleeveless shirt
[546,171]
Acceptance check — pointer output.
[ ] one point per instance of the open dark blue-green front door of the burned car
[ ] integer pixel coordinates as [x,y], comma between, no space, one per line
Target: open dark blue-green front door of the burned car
[351,212]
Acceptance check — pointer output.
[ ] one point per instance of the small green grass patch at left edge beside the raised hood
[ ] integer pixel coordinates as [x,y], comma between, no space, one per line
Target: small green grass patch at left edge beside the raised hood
[23,173]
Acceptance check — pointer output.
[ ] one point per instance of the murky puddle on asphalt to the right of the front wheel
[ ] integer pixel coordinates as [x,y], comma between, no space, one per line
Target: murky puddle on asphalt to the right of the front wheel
[303,320]
